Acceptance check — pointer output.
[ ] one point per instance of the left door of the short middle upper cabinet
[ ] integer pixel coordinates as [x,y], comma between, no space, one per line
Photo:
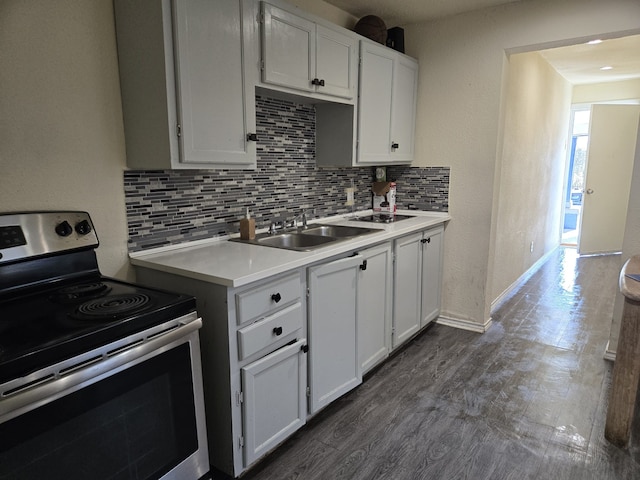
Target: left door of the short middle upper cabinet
[288,49]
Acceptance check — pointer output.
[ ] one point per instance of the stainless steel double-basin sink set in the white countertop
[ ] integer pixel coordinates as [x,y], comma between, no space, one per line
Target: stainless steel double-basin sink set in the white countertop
[304,239]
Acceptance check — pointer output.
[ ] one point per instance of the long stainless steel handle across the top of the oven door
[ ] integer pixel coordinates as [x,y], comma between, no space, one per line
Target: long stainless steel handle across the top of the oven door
[70,375]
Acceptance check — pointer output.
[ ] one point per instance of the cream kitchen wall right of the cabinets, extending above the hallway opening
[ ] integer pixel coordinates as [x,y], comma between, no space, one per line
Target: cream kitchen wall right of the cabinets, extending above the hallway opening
[459,118]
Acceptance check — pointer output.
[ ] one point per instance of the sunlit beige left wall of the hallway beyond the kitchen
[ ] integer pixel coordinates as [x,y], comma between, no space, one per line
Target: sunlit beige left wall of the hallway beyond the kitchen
[532,169]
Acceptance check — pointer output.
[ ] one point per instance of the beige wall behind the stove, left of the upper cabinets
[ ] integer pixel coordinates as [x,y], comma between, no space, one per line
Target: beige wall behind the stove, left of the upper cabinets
[61,134]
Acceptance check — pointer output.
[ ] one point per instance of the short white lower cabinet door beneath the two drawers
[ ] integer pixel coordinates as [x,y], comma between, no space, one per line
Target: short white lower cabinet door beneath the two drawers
[274,399]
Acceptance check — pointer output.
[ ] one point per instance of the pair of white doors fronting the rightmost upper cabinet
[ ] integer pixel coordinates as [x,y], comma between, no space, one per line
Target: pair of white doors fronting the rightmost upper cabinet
[387,106]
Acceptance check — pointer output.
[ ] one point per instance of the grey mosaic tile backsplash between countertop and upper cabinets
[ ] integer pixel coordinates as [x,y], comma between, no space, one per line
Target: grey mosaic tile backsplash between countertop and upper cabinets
[176,206]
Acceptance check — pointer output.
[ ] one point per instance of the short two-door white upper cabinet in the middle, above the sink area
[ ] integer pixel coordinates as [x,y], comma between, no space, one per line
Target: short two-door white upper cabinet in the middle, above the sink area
[300,54]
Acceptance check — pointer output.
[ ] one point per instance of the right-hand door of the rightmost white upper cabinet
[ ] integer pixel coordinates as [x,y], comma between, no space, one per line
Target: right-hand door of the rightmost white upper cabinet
[403,113]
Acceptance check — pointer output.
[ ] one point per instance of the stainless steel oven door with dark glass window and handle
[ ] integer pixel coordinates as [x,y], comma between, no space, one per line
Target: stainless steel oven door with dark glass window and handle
[130,410]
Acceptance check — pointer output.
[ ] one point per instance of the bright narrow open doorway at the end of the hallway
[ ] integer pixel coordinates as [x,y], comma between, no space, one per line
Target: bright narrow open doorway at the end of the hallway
[576,168]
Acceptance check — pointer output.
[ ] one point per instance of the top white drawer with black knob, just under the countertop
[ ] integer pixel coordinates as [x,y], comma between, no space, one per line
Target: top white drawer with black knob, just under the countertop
[261,301]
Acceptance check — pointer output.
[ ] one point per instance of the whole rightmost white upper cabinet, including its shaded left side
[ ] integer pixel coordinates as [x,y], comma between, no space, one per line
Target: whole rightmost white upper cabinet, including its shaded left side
[382,129]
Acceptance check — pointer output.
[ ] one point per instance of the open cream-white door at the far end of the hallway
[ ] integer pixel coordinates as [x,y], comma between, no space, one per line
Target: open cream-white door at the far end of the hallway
[612,142]
